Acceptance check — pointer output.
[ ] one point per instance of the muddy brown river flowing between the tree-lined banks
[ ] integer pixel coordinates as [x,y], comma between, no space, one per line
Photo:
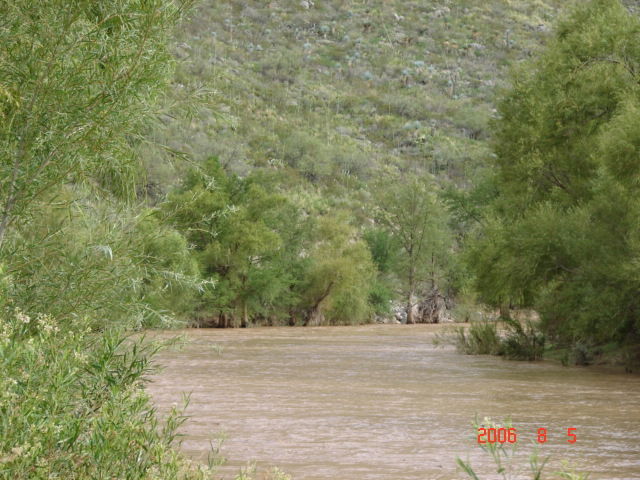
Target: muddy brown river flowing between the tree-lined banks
[381,402]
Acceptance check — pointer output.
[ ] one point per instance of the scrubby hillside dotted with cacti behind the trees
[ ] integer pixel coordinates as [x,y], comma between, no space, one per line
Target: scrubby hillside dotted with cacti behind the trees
[341,93]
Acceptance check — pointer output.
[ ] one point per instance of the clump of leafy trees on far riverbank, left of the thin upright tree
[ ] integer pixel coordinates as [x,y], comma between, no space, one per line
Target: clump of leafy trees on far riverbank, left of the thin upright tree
[267,259]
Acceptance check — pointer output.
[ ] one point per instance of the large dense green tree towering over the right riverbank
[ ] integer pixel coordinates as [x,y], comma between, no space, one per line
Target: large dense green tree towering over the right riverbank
[563,234]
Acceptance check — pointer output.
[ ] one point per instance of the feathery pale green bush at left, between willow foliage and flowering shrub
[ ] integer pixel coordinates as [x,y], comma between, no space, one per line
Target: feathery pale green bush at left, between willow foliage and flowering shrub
[111,264]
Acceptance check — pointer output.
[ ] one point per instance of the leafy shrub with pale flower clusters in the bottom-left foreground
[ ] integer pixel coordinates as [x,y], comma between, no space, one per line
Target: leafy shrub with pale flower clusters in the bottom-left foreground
[72,406]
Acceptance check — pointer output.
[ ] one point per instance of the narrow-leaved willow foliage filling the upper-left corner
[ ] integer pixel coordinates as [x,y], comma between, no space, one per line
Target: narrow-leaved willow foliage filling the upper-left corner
[77,82]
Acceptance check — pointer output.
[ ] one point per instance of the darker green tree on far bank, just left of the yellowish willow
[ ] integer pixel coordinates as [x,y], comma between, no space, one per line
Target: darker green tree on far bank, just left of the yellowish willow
[235,228]
